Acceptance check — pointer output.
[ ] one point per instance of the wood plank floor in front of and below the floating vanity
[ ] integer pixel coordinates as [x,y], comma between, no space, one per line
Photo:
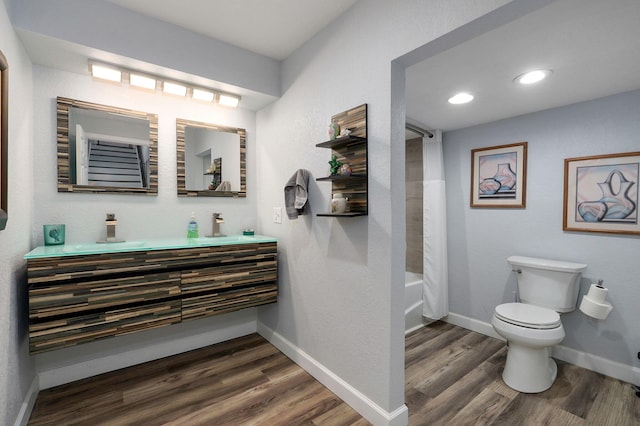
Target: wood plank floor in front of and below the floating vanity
[240,382]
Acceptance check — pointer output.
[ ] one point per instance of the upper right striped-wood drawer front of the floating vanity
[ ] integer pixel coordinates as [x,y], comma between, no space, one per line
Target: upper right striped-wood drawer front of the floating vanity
[228,277]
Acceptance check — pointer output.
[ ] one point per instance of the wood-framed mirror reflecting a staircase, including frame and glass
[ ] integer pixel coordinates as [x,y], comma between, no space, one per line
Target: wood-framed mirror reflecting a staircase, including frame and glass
[106,149]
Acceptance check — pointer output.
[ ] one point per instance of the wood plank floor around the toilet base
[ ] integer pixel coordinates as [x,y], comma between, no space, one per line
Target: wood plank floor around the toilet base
[453,377]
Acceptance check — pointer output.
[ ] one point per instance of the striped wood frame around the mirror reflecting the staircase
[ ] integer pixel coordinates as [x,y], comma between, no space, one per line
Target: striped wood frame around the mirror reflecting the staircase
[64,106]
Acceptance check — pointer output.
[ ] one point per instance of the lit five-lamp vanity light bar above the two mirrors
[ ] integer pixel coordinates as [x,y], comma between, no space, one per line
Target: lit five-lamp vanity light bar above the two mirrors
[122,75]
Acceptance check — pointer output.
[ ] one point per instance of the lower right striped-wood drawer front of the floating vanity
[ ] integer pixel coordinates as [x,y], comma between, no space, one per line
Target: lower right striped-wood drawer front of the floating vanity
[228,301]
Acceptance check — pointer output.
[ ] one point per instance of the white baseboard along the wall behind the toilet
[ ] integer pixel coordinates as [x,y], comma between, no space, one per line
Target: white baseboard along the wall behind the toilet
[625,373]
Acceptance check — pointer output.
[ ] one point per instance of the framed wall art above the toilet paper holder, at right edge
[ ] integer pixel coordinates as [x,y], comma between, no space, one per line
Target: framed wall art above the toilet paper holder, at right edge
[601,193]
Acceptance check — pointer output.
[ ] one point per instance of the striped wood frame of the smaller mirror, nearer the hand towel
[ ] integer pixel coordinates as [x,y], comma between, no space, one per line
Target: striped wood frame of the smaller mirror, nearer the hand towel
[181,125]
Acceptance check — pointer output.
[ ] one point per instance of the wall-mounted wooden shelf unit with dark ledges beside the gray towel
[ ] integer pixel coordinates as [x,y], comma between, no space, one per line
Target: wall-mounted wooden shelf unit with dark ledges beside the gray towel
[351,150]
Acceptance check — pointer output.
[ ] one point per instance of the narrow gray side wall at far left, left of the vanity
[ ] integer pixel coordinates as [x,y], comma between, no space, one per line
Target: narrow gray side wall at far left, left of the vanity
[16,367]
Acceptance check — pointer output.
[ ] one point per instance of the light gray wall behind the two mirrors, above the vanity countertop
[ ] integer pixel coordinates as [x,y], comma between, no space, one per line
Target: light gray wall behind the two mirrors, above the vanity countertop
[139,217]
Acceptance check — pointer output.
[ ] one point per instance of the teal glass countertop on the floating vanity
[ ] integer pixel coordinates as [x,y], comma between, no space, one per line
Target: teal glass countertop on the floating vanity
[144,245]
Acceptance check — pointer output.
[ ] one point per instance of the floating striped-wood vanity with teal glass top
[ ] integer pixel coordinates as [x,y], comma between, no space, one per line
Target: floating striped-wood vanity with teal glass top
[79,293]
